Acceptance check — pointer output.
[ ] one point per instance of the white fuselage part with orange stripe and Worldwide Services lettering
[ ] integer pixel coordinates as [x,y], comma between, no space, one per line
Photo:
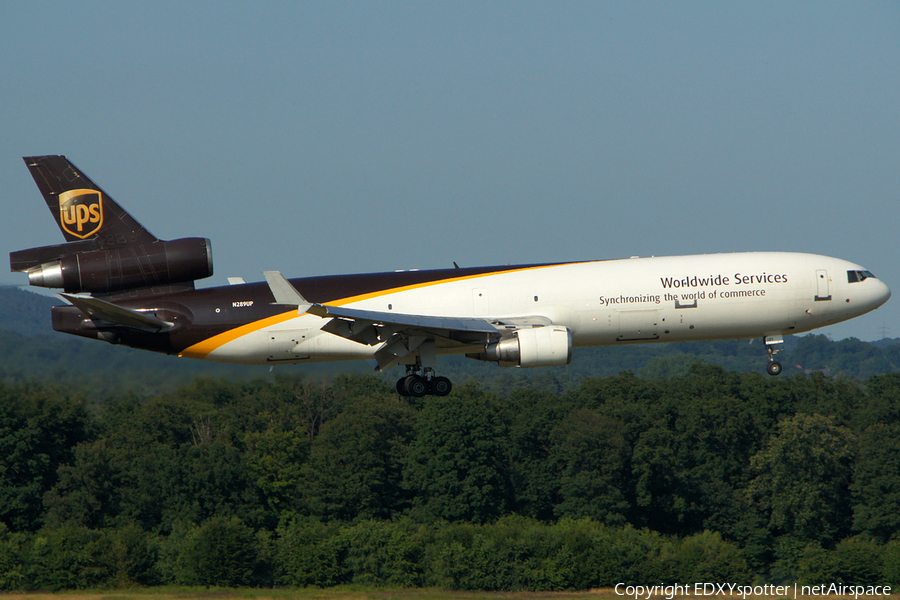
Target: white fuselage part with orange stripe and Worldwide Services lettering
[637,300]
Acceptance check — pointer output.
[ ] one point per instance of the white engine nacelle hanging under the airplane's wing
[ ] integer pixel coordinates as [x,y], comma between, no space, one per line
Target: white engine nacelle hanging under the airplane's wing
[535,347]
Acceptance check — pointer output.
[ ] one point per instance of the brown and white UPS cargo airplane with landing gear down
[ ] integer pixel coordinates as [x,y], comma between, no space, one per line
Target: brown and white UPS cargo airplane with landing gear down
[125,286]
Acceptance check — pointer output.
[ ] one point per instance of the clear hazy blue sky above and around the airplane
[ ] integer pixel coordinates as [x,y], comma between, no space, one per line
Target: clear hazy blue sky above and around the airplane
[330,137]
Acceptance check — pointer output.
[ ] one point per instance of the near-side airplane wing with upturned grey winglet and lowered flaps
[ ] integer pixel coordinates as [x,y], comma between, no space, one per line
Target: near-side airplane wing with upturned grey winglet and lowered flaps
[399,334]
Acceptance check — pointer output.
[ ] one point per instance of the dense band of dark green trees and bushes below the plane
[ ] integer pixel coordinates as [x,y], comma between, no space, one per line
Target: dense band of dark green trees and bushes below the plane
[707,476]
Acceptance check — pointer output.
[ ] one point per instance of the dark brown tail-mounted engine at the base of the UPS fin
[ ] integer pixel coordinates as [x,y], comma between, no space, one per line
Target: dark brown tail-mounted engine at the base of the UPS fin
[126,267]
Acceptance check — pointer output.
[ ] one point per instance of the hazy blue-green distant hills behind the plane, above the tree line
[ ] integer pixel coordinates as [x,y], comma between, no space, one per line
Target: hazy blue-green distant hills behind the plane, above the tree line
[31,351]
